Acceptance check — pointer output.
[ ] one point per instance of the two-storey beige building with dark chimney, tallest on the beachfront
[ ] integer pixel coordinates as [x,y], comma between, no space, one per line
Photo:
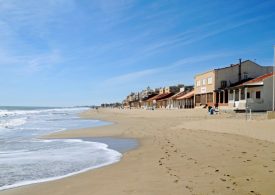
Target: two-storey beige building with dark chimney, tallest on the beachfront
[211,88]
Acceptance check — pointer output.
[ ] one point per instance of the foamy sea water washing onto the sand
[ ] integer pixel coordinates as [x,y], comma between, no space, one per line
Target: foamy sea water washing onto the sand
[26,159]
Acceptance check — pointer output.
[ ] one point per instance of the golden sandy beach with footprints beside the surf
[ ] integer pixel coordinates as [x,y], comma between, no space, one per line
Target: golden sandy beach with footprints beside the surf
[180,152]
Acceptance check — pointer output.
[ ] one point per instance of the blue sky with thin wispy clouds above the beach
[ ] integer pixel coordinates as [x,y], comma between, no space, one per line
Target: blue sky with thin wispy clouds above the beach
[87,52]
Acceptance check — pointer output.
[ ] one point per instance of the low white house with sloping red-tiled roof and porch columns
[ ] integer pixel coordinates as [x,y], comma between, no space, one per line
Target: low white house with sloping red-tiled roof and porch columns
[255,94]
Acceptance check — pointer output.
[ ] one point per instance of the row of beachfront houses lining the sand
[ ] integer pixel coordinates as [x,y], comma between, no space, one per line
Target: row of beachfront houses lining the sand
[241,86]
